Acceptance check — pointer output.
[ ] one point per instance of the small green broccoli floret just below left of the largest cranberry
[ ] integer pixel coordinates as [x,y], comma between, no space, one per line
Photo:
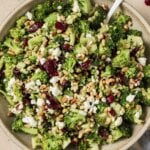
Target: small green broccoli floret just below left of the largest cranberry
[40,75]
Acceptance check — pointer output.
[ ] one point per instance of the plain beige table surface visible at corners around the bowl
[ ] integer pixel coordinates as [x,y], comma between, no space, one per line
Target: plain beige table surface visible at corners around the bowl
[7,6]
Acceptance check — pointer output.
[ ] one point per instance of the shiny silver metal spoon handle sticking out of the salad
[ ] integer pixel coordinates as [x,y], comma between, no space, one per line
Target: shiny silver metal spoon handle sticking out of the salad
[113,9]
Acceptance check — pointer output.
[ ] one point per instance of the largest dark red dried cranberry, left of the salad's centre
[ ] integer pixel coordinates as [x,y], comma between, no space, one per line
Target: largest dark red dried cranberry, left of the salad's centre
[50,66]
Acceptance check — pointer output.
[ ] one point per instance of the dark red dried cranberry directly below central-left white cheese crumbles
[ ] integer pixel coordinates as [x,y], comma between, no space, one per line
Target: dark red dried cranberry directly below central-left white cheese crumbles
[54,104]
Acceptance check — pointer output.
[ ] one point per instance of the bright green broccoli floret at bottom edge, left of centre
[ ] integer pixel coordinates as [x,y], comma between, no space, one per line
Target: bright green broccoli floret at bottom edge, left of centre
[54,142]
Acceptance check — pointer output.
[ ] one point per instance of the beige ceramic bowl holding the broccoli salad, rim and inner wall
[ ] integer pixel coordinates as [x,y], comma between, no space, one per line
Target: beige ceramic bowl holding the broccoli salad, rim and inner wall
[24,141]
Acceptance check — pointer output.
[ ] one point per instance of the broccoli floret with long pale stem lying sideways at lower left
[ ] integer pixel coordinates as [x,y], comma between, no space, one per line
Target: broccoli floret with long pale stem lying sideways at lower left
[18,125]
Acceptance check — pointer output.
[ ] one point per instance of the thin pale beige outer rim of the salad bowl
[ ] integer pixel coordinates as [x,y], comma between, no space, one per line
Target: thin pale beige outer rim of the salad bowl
[16,10]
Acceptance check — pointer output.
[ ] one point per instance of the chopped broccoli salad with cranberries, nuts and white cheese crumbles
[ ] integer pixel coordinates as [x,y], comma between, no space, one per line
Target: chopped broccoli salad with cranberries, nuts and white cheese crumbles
[70,78]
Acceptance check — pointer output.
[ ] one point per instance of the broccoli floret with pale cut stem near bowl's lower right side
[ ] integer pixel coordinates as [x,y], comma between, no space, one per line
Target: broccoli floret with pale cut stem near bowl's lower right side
[134,114]
